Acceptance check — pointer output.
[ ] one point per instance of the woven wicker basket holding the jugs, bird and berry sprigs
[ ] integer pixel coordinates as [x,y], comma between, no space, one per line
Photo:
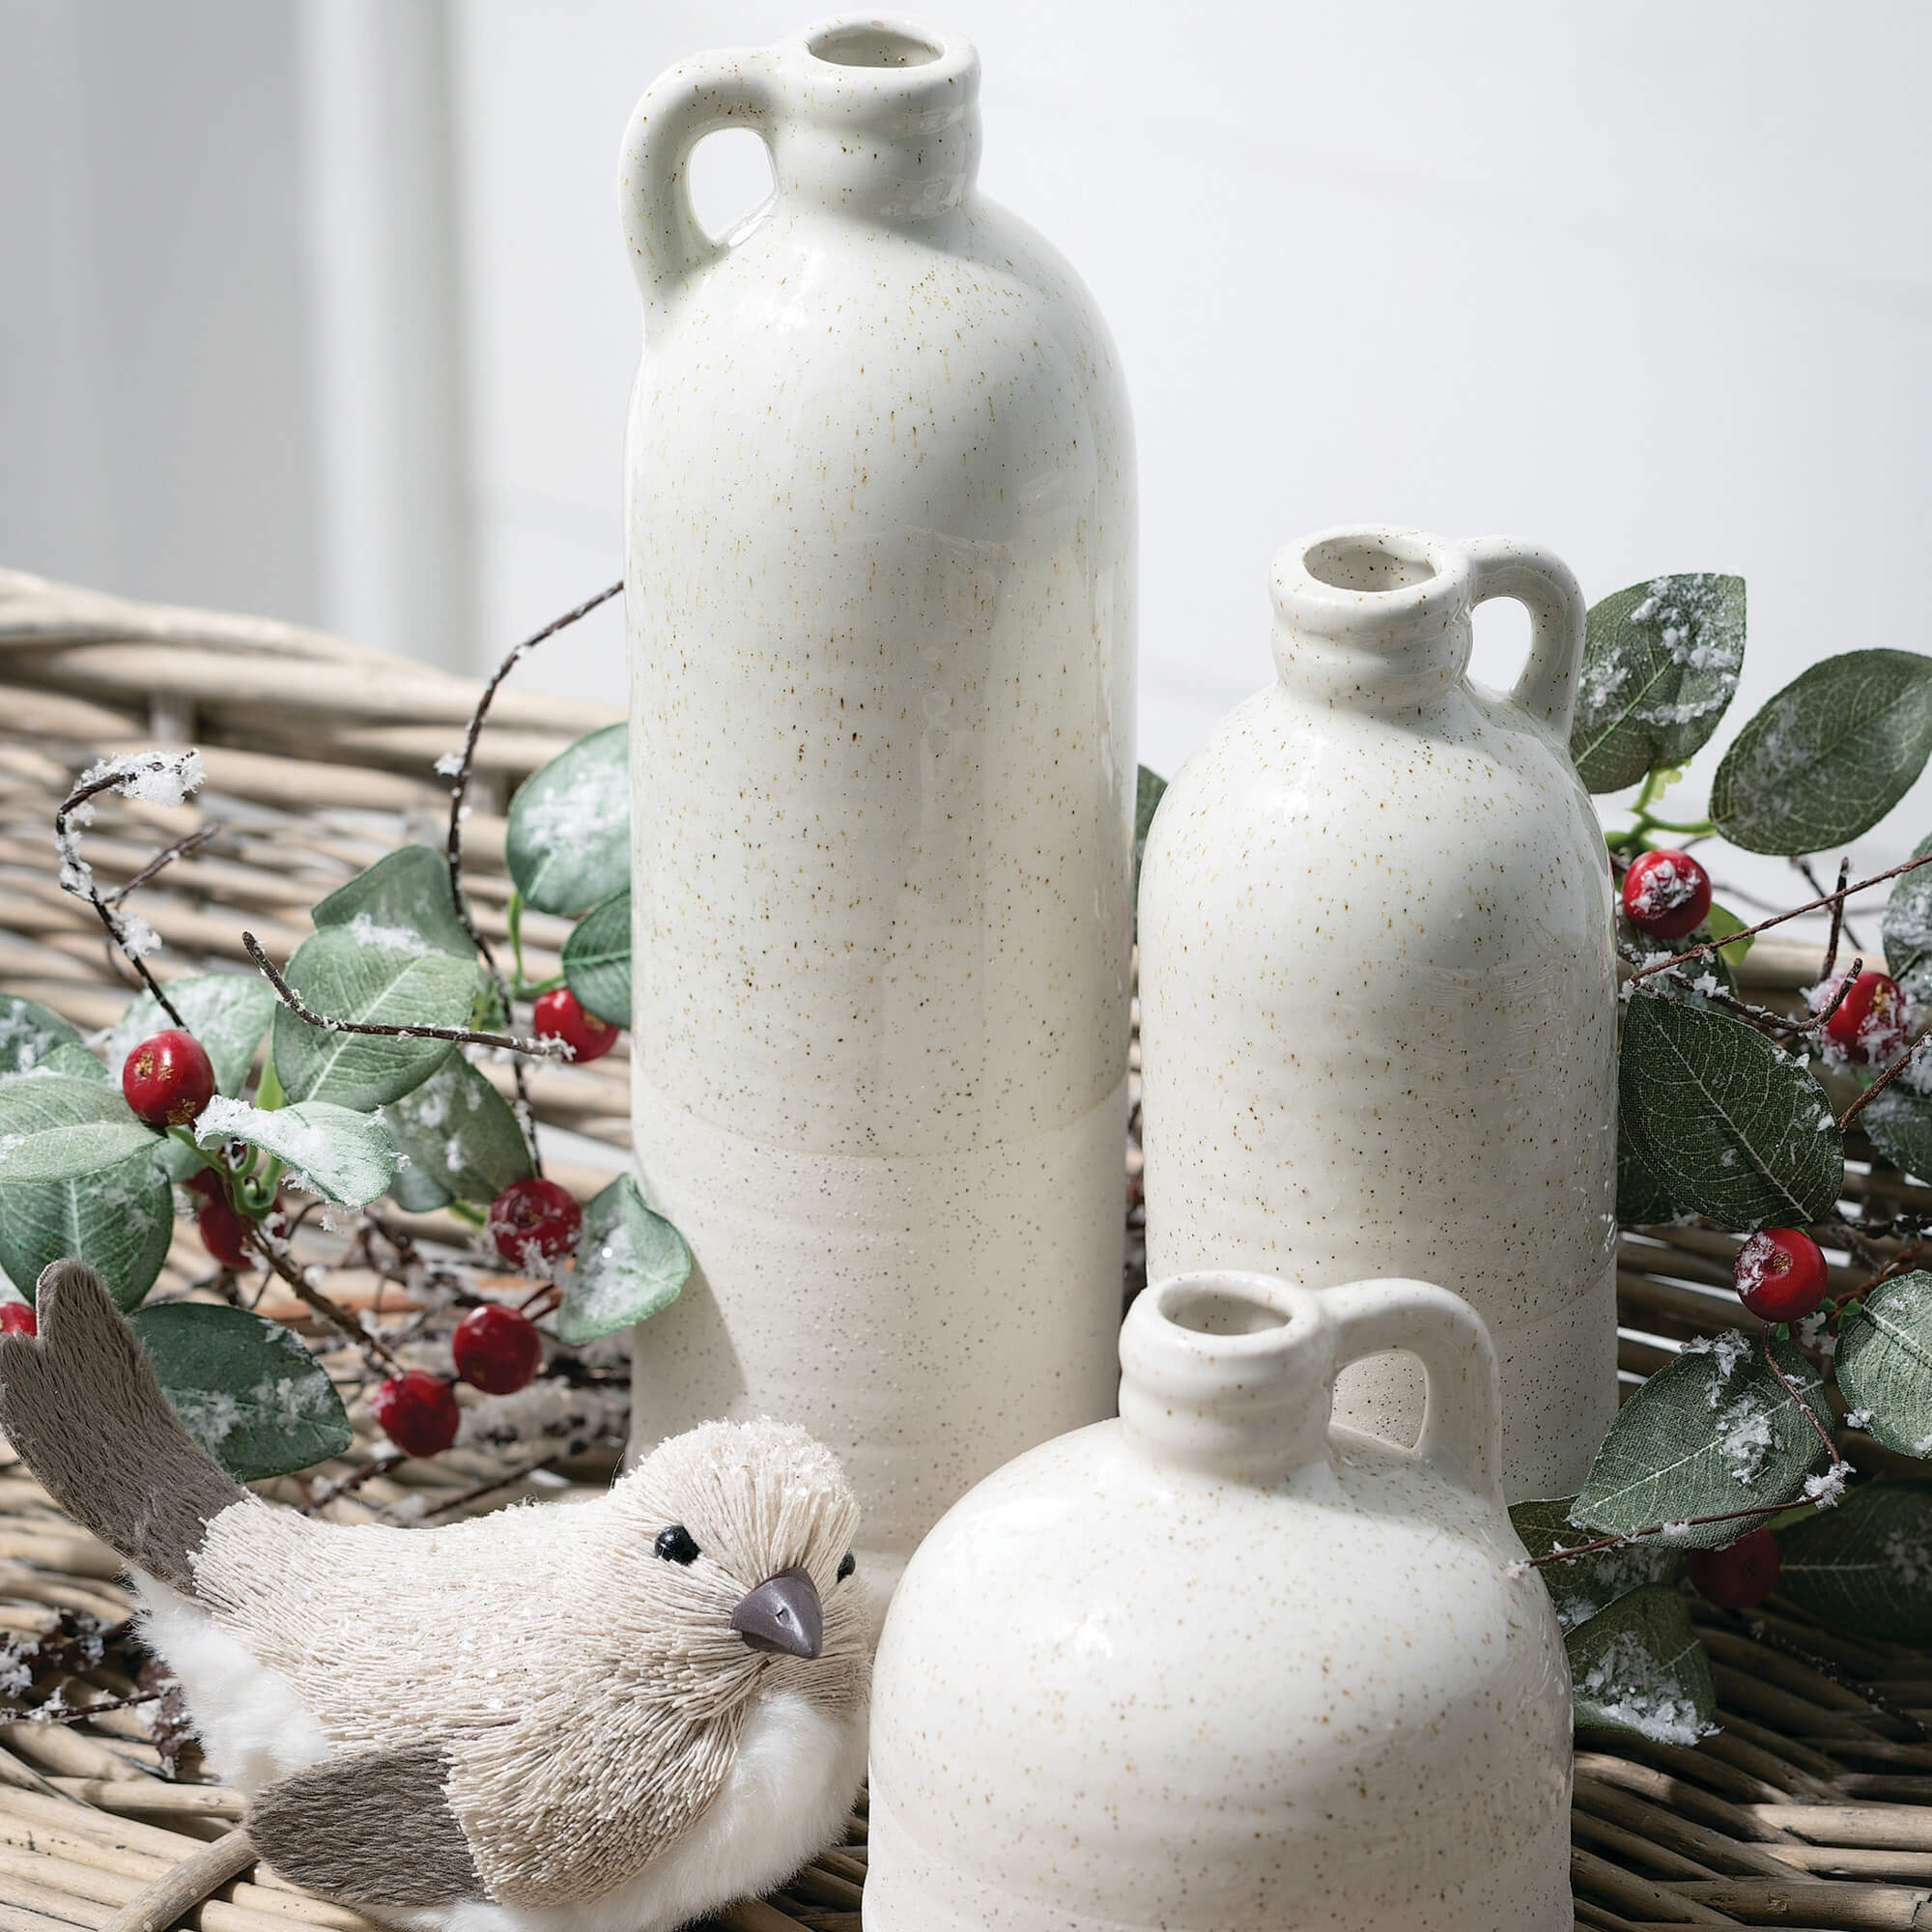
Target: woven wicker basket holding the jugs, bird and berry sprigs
[1811,1807]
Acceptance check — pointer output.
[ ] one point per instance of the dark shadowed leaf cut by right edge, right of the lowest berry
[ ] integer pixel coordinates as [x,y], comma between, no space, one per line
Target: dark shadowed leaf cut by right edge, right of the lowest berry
[1867,1566]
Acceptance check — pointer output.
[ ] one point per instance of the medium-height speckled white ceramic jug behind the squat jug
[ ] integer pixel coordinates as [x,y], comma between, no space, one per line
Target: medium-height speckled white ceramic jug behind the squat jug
[1378,988]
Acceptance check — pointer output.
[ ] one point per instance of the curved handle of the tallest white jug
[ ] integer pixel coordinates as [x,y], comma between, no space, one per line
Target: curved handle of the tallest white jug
[679,109]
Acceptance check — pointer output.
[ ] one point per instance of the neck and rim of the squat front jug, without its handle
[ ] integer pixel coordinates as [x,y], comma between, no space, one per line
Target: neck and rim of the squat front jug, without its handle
[1228,1373]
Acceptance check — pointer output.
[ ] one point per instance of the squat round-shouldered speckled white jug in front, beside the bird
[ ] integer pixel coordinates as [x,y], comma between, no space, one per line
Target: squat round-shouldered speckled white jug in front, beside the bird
[1224,1668]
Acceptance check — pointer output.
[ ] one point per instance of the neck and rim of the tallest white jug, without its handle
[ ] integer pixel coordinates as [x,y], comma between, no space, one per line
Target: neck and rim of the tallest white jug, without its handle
[878,117]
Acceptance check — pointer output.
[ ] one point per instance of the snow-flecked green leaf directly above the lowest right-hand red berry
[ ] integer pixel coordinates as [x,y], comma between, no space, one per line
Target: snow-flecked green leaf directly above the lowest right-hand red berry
[1711,1431]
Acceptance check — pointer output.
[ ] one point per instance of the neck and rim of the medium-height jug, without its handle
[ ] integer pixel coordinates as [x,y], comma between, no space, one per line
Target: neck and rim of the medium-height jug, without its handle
[1373,619]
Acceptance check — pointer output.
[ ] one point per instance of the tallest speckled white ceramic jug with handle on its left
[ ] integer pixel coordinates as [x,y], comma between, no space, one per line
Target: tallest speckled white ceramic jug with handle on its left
[880,523]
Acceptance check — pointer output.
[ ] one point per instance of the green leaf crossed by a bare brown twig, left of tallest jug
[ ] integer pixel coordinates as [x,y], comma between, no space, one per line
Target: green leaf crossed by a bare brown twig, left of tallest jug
[378,986]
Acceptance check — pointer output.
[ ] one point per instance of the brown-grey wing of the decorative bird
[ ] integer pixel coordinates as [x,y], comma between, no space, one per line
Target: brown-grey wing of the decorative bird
[370,1829]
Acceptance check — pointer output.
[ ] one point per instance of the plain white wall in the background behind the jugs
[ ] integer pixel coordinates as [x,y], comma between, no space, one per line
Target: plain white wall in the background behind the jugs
[327,310]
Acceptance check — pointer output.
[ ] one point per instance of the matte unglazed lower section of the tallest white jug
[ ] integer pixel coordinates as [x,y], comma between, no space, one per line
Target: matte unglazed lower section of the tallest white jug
[928,1317]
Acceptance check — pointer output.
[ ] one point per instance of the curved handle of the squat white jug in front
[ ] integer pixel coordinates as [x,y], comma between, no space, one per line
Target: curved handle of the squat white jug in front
[1463,1415]
